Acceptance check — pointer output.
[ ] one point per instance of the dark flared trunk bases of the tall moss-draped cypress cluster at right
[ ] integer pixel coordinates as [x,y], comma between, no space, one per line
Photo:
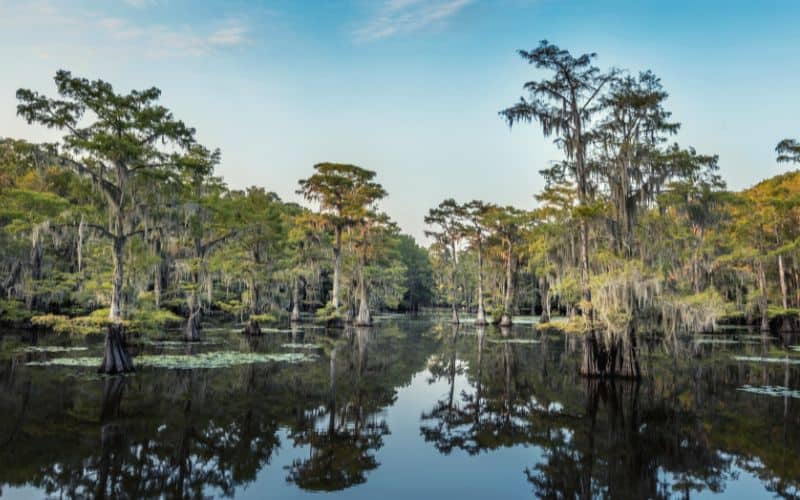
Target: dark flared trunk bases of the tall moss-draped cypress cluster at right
[611,358]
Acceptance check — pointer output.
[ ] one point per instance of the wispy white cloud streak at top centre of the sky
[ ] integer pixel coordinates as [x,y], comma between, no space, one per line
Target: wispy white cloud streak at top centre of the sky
[396,17]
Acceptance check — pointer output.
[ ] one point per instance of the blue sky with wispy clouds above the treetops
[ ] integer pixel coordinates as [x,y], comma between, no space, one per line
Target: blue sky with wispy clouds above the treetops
[410,88]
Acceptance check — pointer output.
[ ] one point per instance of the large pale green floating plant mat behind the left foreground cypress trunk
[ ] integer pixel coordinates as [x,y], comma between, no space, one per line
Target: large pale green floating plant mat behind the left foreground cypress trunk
[218,359]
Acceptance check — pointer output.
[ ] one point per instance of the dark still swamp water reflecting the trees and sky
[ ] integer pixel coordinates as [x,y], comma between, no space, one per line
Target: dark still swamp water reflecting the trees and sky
[406,409]
